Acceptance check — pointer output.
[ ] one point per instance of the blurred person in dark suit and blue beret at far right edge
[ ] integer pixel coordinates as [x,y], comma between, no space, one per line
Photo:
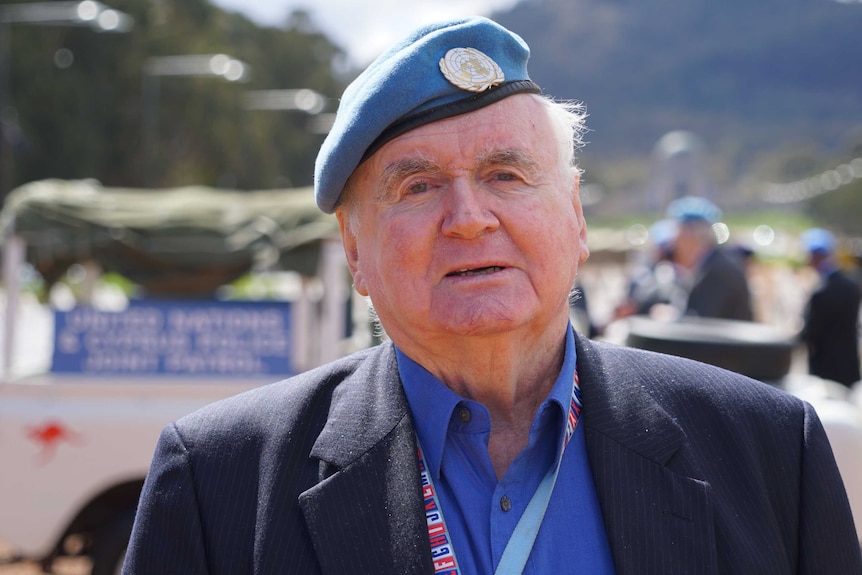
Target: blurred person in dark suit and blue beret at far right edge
[831,320]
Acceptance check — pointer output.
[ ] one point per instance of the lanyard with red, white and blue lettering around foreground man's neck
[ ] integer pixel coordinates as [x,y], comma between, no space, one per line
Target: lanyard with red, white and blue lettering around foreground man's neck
[523,537]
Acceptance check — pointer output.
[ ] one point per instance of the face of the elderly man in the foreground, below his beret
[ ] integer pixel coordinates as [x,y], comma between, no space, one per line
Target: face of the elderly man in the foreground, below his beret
[467,226]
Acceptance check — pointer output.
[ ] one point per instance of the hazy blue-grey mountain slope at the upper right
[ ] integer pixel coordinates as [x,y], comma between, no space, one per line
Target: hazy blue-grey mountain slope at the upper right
[750,75]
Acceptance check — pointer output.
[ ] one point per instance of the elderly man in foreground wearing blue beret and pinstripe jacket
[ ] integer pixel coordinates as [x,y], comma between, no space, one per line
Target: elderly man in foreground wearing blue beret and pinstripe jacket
[485,435]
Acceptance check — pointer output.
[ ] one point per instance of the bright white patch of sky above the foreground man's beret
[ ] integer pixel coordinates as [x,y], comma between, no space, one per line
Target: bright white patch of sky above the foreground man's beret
[363,28]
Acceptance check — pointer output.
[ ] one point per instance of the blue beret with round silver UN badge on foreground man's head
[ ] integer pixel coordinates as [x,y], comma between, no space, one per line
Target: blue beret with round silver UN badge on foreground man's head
[409,86]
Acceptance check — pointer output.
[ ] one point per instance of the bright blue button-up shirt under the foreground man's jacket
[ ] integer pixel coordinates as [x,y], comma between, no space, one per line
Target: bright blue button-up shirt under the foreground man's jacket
[480,511]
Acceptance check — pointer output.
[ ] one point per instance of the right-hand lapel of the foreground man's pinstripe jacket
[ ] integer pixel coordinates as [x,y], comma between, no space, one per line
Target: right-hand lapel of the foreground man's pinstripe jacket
[657,519]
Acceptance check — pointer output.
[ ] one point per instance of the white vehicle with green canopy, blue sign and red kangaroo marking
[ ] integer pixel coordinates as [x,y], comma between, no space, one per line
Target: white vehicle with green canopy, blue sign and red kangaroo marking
[77,436]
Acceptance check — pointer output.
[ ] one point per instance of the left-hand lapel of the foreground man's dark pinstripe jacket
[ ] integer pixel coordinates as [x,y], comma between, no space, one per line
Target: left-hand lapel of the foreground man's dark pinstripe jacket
[366,514]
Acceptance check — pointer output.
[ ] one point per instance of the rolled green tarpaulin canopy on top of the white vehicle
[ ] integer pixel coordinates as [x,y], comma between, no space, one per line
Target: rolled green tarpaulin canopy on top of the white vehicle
[181,241]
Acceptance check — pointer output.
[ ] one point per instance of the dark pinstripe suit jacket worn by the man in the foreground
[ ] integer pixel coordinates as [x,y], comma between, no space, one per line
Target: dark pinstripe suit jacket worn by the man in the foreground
[697,470]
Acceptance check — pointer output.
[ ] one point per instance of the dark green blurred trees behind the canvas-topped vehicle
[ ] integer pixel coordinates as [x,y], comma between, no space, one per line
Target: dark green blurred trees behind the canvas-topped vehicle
[81,107]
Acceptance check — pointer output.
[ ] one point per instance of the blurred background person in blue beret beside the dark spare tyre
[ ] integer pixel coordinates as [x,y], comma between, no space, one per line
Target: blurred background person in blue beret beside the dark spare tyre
[714,281]
